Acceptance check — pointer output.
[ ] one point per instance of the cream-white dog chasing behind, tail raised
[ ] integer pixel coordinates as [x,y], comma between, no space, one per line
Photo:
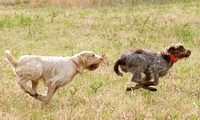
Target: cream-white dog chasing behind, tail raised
[55,71]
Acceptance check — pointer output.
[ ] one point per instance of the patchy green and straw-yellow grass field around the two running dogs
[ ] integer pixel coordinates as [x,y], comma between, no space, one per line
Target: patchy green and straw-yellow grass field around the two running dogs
[58,31]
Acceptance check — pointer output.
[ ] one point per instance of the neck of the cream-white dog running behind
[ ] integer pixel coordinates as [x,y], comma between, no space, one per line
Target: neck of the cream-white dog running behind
[78,64]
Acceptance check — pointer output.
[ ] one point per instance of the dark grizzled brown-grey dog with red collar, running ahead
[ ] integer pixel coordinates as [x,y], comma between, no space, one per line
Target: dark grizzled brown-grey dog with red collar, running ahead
[152,64]
